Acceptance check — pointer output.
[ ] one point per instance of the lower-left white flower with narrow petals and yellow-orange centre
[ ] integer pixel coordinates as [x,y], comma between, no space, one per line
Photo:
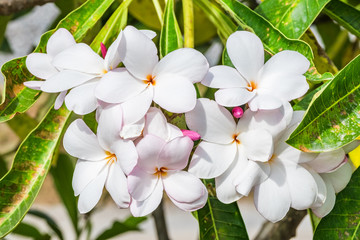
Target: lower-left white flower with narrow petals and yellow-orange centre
[103,160]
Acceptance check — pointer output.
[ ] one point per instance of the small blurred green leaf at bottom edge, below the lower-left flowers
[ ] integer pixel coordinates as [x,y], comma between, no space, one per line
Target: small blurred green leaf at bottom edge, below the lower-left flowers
[130,224]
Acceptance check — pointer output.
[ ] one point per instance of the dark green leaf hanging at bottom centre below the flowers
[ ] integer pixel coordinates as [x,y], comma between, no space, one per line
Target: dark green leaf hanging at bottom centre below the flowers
[220,221]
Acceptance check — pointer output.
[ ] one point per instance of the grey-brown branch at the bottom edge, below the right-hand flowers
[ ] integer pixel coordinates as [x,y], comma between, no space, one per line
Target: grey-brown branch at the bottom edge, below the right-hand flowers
[284,229]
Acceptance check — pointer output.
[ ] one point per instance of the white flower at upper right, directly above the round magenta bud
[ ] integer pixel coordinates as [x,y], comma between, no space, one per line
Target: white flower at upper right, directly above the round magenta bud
[262,86]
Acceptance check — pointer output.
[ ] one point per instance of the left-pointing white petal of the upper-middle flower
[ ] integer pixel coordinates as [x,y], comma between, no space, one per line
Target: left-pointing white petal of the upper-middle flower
[118,86]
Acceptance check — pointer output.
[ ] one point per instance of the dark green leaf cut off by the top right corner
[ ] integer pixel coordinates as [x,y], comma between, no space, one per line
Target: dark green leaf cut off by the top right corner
[346,15]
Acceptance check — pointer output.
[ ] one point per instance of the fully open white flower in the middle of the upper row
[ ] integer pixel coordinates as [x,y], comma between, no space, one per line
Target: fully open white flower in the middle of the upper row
[169,82]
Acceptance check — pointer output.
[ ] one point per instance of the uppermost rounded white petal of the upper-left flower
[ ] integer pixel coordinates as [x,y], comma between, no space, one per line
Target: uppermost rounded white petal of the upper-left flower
[59,41]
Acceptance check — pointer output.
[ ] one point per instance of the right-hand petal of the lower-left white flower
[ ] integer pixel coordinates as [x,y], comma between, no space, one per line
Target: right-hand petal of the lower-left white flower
[126,154]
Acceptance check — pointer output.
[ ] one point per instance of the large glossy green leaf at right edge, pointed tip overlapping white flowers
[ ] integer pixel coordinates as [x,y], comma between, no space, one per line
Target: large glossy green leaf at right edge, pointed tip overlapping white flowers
[333,117]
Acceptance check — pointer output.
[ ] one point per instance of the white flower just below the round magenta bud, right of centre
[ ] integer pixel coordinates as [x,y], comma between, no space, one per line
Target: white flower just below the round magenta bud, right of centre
[228,150]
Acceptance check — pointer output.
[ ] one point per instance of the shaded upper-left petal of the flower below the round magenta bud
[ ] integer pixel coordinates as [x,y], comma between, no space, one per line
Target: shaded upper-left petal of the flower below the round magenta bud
[213,122]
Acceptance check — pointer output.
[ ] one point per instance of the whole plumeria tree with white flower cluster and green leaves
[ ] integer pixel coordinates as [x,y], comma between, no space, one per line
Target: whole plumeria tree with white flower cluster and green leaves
[205,102]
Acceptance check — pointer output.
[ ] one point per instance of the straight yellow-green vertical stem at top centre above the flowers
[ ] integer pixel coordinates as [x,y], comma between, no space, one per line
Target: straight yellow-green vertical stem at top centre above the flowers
[188,9]
